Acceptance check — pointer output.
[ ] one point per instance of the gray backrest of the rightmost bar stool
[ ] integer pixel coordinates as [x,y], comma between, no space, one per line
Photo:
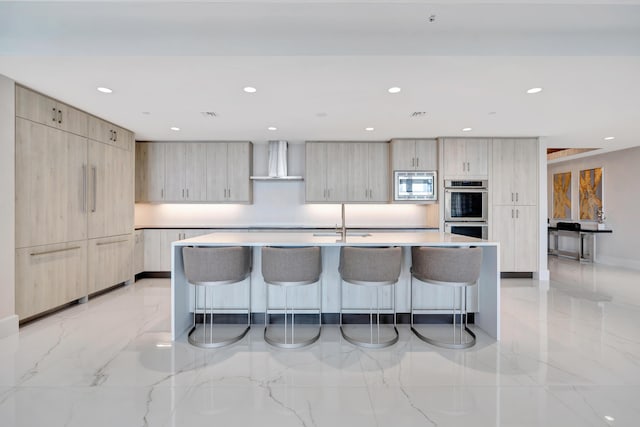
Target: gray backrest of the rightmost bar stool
[459,266]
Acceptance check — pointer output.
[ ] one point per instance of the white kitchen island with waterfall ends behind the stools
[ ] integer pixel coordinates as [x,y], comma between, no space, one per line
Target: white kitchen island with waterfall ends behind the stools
[486,302]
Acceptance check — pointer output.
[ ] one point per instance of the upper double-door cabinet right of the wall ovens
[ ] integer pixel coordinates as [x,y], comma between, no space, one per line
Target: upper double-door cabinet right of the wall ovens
[514,178]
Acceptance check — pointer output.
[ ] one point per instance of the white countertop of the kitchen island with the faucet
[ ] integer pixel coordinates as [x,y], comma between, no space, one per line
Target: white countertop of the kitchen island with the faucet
[322,239]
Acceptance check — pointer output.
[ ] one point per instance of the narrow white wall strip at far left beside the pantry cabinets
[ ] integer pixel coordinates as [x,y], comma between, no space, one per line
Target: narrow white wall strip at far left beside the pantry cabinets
[8,319]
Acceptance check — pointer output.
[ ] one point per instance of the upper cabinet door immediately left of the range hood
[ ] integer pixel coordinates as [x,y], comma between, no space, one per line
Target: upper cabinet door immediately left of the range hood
[239,165]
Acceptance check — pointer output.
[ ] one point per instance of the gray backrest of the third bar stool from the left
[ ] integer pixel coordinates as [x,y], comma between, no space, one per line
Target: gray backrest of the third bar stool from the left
[367,264]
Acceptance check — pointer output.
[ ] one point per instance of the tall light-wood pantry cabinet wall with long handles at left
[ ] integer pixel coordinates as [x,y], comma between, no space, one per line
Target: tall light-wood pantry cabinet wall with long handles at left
[74,204]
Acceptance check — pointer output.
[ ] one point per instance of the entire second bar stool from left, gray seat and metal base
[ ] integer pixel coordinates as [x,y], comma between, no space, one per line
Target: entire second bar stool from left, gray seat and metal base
[286,268]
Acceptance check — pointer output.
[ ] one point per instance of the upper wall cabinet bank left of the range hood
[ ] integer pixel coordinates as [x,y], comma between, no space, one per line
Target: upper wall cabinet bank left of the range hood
[215,172]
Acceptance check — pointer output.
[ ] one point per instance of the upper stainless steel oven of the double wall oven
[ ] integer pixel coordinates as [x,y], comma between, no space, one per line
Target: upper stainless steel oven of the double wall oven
[466,201]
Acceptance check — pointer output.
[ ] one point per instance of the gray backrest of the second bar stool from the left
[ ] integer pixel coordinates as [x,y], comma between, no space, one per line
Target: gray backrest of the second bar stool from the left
[290,265]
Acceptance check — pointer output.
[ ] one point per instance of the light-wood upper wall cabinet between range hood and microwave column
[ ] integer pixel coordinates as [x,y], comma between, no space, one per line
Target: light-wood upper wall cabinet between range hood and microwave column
[338,172]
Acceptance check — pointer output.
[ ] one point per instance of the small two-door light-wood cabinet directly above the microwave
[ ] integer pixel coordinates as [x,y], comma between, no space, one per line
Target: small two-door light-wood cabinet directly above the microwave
[414,154]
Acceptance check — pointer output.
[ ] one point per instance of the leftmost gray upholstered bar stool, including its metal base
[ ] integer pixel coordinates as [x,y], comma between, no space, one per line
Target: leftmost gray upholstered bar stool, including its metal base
[208,267]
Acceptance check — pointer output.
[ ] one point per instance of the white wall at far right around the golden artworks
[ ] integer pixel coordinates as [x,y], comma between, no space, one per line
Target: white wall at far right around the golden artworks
[621,202]
